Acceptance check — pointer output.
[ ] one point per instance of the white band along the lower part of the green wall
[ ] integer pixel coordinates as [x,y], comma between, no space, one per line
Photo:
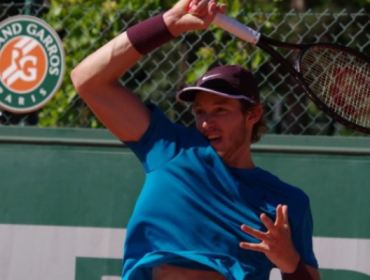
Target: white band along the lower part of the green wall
[49,252]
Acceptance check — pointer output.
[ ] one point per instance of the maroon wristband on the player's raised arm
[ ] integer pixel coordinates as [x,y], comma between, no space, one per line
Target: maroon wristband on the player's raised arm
[149,34]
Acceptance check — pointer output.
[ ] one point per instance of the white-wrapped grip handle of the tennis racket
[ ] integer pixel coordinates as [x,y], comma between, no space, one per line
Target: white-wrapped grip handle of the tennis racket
[236,28]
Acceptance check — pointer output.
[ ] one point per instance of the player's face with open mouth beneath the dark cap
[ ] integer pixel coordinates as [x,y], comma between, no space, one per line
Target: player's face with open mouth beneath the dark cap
[223,124]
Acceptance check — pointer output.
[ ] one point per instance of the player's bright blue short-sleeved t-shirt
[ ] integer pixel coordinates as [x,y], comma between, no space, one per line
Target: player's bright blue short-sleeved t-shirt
[192,205]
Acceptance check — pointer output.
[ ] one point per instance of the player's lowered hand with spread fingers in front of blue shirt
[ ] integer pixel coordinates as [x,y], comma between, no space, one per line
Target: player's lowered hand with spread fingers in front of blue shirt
[277,245]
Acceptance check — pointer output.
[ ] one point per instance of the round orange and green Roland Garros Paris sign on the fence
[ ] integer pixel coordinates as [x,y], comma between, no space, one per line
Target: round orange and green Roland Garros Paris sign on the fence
[31,64]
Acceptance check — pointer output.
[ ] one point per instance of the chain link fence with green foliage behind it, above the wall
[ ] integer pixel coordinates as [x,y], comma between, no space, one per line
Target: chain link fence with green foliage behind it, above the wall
[158,76]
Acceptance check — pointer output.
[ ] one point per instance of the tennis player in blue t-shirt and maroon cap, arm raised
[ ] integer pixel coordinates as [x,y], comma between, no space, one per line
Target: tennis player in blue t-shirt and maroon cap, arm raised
[205,211]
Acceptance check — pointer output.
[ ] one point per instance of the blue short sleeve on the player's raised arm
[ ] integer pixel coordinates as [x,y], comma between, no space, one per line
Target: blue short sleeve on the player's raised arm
[158,145]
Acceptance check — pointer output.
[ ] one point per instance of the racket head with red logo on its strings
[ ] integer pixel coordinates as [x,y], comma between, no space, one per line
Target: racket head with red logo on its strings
[337,80]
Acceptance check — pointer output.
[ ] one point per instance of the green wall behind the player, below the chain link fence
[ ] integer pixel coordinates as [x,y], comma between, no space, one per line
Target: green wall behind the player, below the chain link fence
[86,178]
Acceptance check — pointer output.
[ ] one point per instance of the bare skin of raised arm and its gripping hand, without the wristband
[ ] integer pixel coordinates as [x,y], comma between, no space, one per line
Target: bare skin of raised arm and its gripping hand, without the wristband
[96,78]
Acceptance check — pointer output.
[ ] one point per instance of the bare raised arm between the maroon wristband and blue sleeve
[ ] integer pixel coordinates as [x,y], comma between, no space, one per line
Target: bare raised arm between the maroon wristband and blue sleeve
[96,80]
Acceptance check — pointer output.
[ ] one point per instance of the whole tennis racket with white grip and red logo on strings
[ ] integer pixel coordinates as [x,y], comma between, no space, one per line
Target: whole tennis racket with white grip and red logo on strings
[336,78]
